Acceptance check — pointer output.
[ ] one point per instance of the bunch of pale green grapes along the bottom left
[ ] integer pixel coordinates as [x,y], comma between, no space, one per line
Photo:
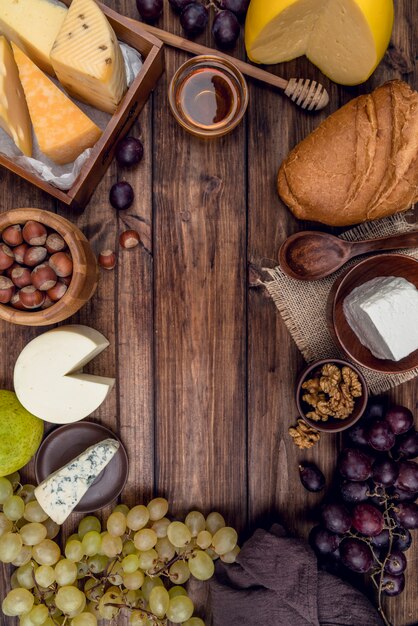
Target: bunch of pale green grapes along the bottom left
[137,562]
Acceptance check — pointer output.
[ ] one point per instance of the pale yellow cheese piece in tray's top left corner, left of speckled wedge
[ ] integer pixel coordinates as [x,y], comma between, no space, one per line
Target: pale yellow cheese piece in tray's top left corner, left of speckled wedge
[33,25]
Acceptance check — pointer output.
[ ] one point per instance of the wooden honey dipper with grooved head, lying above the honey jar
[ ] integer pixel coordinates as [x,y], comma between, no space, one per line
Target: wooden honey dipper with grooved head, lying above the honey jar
[306,93]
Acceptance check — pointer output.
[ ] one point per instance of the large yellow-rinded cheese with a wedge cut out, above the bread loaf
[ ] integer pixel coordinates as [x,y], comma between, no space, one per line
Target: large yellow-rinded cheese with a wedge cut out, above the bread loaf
[346,39]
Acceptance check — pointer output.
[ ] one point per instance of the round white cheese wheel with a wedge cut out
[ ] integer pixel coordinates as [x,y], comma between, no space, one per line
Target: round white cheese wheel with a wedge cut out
[48,376]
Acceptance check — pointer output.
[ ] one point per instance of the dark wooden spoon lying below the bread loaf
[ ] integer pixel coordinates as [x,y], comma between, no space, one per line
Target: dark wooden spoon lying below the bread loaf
[311,255]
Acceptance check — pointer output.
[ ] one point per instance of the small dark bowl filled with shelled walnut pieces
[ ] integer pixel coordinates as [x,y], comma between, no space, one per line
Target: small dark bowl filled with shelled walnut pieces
[331,395]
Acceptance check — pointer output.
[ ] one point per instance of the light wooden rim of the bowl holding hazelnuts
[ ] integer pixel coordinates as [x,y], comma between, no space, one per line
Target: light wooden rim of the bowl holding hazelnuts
[67,230]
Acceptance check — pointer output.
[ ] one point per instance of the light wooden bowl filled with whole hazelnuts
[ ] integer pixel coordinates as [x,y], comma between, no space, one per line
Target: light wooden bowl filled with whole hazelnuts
[47,268]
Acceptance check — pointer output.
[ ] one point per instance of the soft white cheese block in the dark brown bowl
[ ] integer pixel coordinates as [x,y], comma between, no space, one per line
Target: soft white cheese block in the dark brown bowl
[383,313]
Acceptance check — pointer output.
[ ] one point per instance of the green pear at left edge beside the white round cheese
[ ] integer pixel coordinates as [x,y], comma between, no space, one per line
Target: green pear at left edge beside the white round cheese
[20,434]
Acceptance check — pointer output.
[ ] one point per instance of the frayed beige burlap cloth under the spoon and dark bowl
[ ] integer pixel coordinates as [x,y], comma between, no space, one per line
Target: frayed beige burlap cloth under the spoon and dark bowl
[303,304]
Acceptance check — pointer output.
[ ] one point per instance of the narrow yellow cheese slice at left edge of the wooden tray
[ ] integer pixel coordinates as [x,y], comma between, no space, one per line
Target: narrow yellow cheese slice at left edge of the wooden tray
[14,114]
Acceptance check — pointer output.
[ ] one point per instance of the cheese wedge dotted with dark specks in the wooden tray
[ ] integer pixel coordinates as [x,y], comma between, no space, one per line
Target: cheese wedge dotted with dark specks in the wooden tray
[87,59]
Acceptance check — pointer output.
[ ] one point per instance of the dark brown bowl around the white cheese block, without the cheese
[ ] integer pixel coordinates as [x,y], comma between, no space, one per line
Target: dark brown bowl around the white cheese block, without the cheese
[373,267]
